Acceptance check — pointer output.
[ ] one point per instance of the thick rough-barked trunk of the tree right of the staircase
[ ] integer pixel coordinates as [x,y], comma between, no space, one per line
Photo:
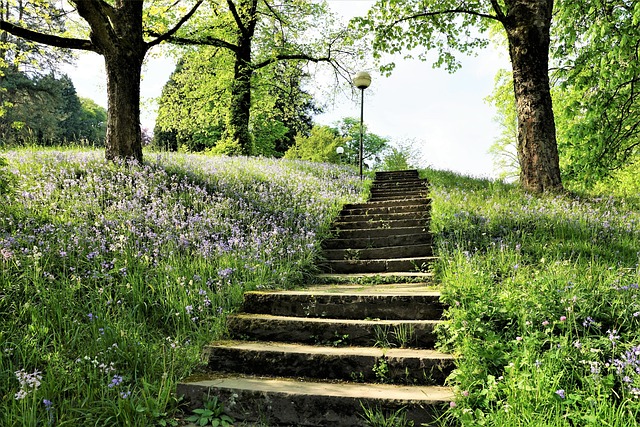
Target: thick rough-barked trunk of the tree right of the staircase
[528,25]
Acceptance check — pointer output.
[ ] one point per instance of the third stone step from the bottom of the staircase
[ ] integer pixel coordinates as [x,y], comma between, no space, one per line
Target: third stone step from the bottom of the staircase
[320,331]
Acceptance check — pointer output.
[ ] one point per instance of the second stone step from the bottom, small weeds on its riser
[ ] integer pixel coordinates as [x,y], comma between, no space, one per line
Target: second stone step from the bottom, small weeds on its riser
[360,364]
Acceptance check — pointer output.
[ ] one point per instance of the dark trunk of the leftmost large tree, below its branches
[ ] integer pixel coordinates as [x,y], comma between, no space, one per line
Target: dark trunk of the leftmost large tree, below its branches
[124,140]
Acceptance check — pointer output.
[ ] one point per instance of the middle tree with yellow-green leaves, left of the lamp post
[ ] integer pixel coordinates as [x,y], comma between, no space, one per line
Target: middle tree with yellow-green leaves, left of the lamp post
[256,34]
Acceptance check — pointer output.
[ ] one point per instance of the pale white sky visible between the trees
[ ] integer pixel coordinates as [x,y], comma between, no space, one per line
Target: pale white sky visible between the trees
[445,115]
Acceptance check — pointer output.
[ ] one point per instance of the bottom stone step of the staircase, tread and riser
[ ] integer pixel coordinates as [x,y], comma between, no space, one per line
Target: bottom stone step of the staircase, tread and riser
[289,402]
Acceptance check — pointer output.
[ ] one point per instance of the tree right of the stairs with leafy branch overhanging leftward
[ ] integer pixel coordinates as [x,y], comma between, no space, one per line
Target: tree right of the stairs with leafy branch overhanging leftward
[448,26]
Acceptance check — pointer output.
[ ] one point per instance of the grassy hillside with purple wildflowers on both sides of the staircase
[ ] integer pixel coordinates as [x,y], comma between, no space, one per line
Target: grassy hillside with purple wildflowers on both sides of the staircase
[113,277]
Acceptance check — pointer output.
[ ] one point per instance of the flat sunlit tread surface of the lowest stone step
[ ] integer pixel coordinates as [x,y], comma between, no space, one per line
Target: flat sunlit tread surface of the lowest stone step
[288,386]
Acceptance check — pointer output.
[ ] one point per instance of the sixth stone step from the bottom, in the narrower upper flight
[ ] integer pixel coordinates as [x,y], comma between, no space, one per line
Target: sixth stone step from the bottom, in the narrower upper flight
[377,265]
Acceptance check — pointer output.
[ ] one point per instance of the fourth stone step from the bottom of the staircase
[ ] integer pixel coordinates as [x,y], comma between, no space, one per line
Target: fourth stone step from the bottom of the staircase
[338,302]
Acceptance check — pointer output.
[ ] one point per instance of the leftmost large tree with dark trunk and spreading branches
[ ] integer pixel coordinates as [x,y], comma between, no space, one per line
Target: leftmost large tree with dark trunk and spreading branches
[116,30]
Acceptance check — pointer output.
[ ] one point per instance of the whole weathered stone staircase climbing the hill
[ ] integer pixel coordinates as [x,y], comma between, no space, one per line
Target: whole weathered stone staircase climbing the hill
[317,356]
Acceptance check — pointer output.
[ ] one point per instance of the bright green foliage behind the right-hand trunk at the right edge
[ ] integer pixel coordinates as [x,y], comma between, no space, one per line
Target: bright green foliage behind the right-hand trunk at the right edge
[598,98]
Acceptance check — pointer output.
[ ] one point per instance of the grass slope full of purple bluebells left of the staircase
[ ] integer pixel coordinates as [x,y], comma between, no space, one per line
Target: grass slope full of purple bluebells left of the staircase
[113,275]
